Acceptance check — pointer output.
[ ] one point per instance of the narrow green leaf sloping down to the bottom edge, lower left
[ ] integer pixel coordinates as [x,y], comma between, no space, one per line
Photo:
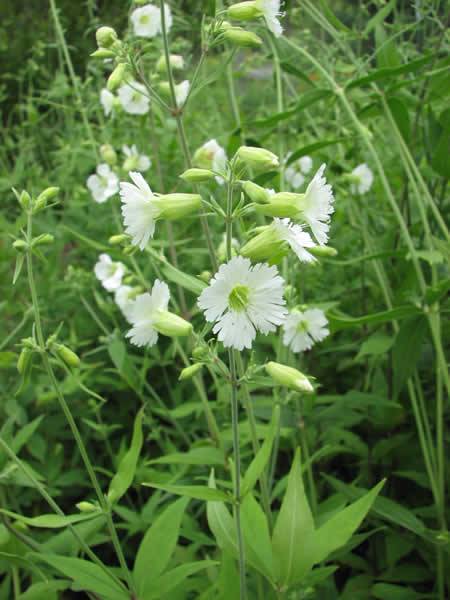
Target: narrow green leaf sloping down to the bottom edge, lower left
[87,576]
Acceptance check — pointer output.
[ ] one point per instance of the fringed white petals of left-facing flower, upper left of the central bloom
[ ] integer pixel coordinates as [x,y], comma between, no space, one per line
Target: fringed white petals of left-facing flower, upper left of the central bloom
[139,212]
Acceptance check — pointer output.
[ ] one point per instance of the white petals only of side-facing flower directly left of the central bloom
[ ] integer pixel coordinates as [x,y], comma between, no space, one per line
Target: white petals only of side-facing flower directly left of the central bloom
[143,312]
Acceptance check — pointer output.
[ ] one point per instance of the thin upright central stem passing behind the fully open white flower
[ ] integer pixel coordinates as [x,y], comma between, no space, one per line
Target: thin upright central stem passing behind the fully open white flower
[235,413]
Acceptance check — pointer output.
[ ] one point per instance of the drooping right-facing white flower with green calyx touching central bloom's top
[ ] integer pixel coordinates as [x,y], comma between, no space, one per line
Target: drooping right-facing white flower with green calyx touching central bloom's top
[275,240]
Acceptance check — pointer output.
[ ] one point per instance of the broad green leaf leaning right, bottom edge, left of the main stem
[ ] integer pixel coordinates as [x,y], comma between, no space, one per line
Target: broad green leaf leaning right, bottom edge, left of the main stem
[157,547]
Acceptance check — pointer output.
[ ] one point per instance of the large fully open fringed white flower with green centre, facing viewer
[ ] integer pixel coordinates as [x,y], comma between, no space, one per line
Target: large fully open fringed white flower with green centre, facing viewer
[242,299]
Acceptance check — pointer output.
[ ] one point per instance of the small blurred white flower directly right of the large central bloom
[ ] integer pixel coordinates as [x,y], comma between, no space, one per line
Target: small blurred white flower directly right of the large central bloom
[303,329]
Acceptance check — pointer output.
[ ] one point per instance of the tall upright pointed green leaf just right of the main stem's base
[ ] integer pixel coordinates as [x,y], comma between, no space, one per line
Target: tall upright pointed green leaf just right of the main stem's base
[294,522]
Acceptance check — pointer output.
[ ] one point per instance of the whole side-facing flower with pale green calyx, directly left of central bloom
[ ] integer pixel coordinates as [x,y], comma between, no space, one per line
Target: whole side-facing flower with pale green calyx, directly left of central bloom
[149,316]
